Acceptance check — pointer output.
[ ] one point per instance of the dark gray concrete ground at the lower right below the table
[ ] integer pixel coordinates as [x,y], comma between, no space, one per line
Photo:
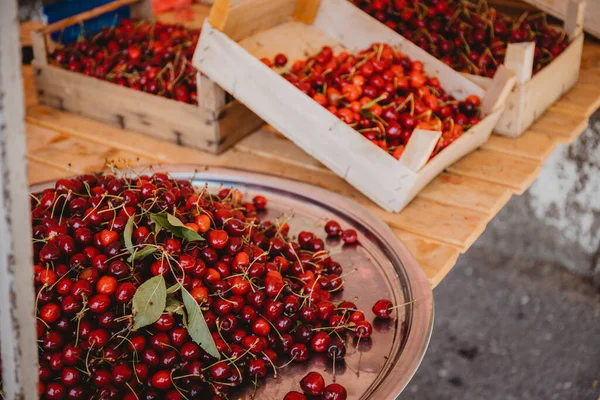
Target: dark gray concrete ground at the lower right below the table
[509,328]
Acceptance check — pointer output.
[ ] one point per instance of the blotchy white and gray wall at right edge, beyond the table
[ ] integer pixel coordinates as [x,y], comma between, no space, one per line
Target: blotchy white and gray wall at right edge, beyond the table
[558,218]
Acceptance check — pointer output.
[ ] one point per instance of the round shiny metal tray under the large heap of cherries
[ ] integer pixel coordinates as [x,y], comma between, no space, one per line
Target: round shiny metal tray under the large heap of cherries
[378,368]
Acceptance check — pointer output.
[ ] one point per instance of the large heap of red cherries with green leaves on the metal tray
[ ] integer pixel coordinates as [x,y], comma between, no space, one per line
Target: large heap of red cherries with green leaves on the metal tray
[149,288]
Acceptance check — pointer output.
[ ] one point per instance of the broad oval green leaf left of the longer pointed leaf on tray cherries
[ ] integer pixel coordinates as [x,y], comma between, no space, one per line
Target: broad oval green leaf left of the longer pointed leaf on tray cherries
[149,302]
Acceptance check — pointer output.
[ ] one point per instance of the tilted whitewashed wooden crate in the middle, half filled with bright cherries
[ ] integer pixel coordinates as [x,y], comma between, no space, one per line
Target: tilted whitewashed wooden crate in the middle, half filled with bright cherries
[238,33]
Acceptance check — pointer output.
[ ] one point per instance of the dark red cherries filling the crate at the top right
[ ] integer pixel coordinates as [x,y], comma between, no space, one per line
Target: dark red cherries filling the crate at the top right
[470,36]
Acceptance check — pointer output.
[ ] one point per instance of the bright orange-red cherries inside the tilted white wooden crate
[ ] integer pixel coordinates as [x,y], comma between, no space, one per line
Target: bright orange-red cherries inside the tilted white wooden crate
[382,94]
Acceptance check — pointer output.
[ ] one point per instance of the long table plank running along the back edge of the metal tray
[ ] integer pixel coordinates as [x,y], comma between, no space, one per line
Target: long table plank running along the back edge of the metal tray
[447,227]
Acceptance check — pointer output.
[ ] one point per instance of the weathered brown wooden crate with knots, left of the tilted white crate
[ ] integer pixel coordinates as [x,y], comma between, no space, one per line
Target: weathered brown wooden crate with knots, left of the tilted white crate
[213,125]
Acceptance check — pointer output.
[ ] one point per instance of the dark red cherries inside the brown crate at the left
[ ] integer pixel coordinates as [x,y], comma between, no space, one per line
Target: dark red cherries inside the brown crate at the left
[149,56]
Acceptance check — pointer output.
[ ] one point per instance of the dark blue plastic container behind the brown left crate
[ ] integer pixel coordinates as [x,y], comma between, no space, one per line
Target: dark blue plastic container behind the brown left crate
[67,8]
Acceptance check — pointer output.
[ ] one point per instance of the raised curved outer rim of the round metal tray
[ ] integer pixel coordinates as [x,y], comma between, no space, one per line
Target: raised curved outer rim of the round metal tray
[397,372]
